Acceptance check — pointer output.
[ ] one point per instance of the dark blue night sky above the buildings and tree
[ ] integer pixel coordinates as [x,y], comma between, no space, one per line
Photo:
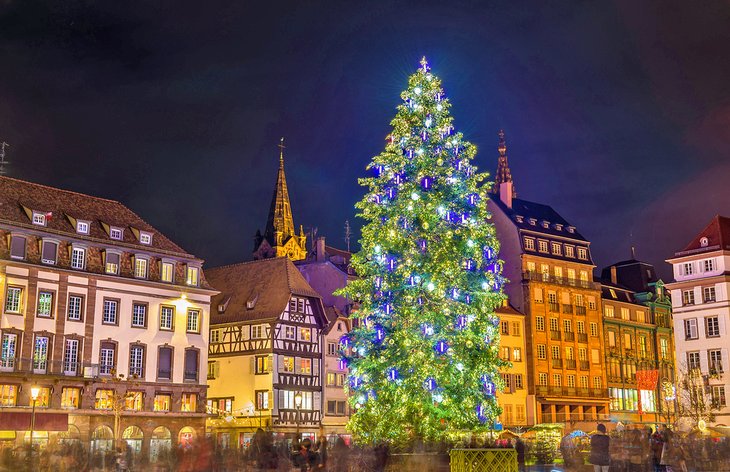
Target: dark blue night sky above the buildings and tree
[616,113]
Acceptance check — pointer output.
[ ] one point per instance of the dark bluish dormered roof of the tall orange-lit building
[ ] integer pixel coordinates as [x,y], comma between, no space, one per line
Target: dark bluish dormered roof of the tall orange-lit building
[523,211]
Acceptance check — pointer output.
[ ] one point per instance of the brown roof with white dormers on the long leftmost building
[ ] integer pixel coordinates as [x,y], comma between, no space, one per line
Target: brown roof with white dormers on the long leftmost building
[18,199]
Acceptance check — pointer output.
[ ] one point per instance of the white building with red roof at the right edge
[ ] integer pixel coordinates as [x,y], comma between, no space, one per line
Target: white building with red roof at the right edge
[700,296]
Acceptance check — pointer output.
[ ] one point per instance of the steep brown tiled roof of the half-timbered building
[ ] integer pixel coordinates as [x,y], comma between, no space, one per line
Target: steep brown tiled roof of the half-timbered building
[267,283]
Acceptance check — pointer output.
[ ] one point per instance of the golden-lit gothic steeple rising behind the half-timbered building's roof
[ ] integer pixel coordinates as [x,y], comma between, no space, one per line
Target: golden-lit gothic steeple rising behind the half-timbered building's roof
[279,238]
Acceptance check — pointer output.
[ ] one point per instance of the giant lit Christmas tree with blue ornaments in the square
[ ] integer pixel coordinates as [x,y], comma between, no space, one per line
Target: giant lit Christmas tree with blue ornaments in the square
[422,356]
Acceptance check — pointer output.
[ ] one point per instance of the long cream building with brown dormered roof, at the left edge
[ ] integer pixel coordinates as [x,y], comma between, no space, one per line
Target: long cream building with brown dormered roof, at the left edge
[105,315]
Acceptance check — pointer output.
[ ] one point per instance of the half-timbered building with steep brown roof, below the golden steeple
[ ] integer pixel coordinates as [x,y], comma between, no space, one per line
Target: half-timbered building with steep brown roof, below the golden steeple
[265,351]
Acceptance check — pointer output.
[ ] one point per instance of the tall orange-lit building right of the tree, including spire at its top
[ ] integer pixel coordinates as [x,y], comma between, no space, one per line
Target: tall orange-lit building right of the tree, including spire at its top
[549,265]
